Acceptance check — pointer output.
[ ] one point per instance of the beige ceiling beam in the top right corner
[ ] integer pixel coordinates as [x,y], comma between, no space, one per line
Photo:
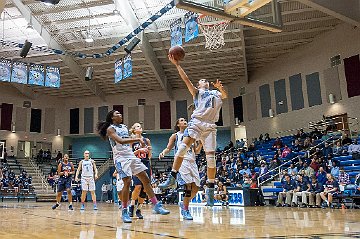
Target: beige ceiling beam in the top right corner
[338,9]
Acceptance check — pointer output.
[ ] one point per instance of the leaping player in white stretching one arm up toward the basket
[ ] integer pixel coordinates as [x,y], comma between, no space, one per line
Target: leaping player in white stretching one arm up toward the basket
[201,127]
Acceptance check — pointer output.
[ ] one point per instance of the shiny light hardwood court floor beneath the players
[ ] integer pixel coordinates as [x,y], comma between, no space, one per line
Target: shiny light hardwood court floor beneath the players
[38,220]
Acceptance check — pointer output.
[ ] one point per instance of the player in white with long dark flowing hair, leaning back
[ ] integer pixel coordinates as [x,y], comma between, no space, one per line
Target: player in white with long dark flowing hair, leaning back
[126,163]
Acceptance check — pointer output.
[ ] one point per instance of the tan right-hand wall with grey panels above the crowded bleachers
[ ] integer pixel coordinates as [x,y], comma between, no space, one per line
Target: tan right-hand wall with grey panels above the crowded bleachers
[300,69]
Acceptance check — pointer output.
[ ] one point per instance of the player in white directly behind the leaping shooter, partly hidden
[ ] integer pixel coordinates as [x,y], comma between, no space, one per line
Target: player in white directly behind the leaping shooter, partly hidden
[188,175]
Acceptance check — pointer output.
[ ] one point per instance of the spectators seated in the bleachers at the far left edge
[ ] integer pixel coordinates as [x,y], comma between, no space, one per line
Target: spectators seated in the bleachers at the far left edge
[8,179]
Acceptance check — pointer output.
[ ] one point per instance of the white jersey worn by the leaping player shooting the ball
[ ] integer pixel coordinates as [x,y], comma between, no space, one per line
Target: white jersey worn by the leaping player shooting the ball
[207,105]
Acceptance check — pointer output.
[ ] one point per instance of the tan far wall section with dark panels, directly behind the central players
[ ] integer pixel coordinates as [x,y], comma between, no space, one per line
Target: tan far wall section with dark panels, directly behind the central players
[149,114]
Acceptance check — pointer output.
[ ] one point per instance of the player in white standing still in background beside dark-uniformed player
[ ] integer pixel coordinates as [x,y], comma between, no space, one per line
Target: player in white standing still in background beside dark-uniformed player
[89,174]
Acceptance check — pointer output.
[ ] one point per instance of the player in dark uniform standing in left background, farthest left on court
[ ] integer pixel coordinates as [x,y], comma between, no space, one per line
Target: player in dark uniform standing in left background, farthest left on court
[65,172]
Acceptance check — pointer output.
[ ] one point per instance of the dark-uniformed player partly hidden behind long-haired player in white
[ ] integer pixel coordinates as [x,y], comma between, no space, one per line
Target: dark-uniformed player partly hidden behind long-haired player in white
[143,152]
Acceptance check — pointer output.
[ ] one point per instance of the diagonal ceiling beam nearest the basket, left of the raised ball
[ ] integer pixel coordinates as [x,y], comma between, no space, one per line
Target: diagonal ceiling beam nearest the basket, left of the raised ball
[128,14]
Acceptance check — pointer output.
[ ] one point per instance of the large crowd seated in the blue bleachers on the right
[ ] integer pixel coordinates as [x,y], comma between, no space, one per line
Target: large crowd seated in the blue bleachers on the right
[311,171]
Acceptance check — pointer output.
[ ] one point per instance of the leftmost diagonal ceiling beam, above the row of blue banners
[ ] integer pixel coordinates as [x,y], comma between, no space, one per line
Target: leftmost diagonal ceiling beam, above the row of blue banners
[78,71]
